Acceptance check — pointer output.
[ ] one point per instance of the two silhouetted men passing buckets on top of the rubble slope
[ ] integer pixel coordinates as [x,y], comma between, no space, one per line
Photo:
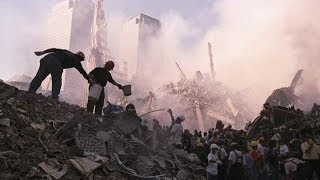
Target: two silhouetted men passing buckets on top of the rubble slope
[56,60]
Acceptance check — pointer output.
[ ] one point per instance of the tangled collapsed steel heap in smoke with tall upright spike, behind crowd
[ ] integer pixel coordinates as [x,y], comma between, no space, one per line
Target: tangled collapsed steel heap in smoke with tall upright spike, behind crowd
[203,101]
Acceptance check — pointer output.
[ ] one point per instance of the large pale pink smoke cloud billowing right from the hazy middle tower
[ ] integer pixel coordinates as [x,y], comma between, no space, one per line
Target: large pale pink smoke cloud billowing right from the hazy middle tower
[258,46]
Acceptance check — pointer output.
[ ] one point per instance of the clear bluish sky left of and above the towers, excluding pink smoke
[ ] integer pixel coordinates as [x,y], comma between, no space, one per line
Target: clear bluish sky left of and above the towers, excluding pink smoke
[23,24]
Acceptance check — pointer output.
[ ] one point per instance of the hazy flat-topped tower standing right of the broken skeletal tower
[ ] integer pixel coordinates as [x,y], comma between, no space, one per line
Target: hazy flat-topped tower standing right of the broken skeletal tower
[138,44]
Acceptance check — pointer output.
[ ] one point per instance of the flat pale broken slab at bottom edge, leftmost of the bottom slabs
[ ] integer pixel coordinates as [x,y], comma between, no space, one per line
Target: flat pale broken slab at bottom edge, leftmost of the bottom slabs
[52,167]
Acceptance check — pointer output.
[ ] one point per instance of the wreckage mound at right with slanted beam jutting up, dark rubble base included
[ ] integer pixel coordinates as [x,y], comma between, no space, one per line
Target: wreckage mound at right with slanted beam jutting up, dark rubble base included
[280,112]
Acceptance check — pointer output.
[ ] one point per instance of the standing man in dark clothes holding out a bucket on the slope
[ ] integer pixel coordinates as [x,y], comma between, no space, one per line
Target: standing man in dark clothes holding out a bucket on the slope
[101,76]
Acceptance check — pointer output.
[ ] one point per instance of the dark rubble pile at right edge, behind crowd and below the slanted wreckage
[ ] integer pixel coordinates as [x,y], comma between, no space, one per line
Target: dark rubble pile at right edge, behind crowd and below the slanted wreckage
[273,119]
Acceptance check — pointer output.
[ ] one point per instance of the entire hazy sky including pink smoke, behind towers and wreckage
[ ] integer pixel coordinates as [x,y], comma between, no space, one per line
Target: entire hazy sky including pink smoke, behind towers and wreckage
[258,44]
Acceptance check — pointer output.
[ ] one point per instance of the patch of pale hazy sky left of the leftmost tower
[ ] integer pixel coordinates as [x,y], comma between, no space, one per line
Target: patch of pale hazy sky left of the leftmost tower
[22,32]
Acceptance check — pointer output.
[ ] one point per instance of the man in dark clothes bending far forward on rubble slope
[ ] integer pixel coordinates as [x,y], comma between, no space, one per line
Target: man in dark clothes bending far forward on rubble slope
[54,63]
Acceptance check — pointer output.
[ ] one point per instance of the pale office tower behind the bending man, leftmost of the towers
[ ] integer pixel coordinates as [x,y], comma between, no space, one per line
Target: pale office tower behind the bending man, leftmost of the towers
[69,27]
